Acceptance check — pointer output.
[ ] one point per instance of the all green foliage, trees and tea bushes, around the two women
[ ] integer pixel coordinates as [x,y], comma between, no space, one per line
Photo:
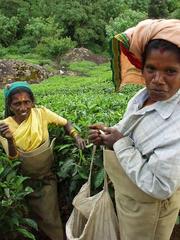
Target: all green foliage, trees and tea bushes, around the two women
[41,31]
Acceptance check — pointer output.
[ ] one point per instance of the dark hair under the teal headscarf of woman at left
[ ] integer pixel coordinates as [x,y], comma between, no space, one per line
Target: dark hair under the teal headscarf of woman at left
[8,100]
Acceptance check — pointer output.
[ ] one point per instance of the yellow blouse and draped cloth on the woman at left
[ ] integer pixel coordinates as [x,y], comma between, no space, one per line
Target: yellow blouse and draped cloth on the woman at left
[33,131]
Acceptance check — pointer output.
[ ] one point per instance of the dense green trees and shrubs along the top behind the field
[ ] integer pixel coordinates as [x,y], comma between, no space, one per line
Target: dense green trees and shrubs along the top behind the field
[51,27]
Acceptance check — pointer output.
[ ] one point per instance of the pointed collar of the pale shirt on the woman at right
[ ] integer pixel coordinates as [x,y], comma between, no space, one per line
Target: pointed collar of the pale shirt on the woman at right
[164,108]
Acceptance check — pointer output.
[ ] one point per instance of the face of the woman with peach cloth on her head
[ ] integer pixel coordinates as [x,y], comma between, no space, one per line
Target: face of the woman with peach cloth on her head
[162,74]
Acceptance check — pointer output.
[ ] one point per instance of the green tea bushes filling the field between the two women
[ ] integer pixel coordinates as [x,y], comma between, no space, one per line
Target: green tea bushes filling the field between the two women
[85,99]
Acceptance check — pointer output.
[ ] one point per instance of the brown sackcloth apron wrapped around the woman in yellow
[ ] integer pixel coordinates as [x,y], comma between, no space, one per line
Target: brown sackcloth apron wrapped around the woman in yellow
[44,201]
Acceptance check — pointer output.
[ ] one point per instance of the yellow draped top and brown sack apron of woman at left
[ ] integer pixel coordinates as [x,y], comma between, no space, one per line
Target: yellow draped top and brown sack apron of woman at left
[36,153]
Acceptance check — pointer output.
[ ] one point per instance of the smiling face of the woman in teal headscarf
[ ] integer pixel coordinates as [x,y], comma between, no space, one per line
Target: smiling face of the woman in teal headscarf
[21,105]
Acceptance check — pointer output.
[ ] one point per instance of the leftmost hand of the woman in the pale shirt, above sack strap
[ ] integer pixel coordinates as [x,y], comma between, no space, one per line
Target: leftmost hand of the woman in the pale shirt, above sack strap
[95,134]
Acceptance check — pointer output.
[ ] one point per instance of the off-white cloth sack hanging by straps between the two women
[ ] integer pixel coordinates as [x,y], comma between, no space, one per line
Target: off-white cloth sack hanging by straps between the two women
[93,217]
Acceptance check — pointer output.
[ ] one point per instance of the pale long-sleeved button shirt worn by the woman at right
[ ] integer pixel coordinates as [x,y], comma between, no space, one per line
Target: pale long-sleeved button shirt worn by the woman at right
[150,151]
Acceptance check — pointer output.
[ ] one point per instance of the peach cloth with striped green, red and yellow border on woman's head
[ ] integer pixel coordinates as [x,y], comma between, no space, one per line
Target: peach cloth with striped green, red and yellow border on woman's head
[127,48]
